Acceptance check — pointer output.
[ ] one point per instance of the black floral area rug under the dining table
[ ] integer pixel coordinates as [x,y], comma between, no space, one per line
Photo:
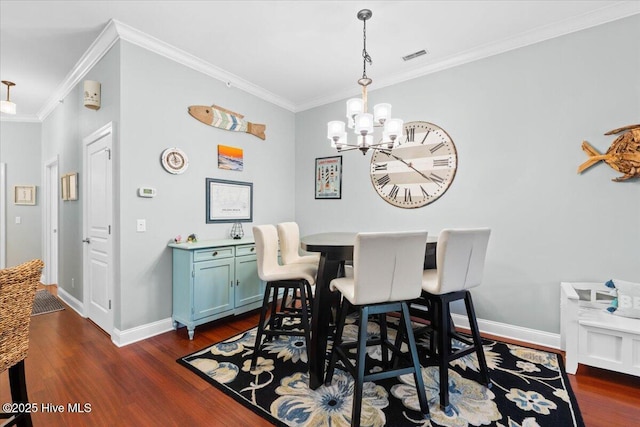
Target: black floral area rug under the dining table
[530,387]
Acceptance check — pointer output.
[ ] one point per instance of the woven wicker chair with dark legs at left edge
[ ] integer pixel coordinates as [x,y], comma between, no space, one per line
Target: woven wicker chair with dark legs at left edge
[17,291]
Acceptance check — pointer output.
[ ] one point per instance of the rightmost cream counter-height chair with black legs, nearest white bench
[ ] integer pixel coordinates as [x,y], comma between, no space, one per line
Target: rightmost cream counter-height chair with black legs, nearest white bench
[460,260]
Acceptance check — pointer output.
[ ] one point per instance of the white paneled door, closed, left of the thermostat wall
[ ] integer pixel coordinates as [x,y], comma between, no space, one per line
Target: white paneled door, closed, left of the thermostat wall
[97,219]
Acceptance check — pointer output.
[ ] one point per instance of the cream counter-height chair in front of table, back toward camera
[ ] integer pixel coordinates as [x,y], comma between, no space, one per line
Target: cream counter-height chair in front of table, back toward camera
[387,272]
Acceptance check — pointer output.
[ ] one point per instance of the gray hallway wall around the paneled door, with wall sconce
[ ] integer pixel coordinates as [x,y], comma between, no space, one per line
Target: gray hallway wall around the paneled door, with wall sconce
[62,134]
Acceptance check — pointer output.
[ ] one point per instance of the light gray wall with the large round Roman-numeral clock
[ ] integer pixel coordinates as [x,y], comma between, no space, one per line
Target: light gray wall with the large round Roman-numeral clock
[518,120]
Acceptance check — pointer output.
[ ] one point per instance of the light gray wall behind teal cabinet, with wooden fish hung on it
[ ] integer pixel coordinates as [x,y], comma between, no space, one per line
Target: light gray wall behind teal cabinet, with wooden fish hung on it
[155,95]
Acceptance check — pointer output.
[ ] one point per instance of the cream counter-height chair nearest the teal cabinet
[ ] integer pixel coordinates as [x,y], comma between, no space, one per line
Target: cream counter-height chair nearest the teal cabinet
[280,277]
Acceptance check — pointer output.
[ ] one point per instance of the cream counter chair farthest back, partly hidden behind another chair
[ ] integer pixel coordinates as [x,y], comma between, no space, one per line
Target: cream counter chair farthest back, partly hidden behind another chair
[289,238]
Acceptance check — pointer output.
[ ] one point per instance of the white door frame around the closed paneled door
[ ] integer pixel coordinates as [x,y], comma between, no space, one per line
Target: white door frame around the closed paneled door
[107,129]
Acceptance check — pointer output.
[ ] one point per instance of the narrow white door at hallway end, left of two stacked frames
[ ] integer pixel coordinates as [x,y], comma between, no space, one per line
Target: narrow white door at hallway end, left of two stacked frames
[51,222]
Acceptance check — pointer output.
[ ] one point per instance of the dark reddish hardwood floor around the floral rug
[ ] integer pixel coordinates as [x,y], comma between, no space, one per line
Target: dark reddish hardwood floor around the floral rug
[71,361]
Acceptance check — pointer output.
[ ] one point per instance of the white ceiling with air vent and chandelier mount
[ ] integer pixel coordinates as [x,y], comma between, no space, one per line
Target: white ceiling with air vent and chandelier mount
[297,54]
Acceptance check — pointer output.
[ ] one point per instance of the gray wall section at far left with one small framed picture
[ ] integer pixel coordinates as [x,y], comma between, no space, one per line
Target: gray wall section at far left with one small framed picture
[20,150]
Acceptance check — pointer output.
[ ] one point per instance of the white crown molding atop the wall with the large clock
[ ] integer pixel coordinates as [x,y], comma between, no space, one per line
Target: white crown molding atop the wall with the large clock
[587,20]
